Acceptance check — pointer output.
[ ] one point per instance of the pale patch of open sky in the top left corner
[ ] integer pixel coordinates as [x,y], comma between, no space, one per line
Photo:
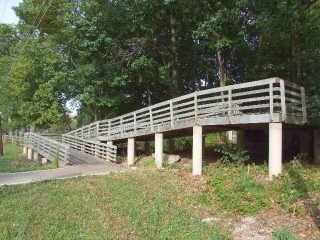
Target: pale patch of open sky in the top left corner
[7,15]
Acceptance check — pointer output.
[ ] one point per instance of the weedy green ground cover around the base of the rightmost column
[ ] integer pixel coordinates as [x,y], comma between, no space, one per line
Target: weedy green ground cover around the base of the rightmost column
[235,189]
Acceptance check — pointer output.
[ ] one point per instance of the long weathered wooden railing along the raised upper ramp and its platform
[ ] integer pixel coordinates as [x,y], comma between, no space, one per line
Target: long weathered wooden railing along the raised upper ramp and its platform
[269,100]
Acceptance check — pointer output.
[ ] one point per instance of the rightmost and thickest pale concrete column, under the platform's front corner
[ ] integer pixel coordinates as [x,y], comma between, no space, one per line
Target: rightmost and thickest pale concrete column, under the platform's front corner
[275,149]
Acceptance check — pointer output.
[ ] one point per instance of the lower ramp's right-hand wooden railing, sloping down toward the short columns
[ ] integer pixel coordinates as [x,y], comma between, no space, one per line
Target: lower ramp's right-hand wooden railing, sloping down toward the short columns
[103,151]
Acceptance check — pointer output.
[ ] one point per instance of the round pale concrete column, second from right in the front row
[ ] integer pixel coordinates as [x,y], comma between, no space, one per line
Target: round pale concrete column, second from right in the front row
[197,151]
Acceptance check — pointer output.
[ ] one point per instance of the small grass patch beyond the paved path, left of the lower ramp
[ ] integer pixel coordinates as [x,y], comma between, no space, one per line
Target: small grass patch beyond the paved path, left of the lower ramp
[14,161]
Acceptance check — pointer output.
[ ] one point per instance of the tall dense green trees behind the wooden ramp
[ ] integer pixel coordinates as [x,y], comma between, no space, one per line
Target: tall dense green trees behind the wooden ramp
[116,56]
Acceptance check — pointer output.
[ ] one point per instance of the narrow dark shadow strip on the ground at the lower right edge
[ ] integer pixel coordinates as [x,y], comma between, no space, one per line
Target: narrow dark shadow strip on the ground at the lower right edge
[312,206]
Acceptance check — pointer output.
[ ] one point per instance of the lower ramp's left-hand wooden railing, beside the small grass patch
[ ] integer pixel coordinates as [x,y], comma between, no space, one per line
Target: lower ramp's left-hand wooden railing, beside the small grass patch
[46,147]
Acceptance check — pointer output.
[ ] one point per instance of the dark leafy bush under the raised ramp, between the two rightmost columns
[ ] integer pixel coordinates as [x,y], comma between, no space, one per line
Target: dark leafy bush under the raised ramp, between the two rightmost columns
[231,154]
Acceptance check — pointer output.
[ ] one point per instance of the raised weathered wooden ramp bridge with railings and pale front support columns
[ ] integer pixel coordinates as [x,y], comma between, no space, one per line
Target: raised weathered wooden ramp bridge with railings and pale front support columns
[271,102]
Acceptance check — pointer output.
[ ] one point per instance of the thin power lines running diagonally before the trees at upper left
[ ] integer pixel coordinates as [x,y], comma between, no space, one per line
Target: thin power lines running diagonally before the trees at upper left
[32,30]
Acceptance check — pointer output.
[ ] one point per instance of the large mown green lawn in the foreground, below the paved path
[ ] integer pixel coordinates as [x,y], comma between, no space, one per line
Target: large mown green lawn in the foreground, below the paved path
[132,205]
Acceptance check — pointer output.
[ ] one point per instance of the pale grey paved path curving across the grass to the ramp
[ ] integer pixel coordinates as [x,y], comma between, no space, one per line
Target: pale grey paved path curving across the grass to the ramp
[59,173]
